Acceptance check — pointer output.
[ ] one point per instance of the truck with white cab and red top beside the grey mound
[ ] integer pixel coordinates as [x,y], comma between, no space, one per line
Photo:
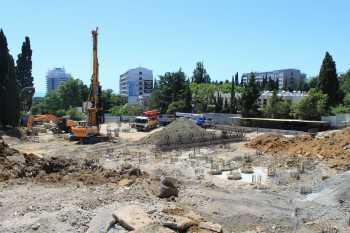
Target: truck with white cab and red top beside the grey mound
[148,121]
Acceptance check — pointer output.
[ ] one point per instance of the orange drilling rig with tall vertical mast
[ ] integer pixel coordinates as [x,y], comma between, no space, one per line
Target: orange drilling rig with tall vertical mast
[89,132]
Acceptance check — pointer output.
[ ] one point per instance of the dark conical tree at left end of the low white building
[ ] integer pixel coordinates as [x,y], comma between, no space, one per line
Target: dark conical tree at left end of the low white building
[249,97]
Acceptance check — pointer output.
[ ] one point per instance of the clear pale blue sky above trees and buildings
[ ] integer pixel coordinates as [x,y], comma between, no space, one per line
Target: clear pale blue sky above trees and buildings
[163,35]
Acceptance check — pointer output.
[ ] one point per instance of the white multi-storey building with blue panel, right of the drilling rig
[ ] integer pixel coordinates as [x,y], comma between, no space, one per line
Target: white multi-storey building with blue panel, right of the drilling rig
[137,85]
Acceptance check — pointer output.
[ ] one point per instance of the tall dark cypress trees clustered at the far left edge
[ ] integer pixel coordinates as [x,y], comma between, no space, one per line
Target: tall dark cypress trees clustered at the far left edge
[16,82]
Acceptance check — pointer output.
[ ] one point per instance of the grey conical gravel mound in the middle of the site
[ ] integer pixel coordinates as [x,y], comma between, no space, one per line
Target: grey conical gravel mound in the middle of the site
[181,130]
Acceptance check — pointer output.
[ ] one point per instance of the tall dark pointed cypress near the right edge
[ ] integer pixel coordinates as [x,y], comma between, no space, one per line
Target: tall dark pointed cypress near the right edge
[328,81]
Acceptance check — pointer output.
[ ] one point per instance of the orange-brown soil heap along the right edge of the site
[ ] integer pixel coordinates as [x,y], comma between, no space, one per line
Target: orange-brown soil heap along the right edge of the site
[334,147]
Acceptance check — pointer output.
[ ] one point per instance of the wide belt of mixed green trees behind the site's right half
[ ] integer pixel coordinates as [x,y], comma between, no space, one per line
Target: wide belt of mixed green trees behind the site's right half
[327,93]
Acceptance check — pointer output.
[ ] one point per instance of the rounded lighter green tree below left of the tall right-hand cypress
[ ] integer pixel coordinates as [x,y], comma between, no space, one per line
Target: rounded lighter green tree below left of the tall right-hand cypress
[312,106]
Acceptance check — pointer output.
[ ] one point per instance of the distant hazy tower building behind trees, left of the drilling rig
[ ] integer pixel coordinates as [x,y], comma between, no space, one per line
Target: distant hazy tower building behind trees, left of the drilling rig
[55,78]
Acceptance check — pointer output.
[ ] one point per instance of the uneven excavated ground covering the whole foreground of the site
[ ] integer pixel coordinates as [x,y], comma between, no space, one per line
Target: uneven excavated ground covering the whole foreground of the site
[58,186]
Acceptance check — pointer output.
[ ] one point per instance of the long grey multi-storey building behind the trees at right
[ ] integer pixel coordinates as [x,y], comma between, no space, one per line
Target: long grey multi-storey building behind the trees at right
[286,78]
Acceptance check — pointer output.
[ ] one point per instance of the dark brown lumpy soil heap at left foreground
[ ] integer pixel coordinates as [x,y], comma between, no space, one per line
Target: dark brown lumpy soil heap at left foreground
[16,165]
